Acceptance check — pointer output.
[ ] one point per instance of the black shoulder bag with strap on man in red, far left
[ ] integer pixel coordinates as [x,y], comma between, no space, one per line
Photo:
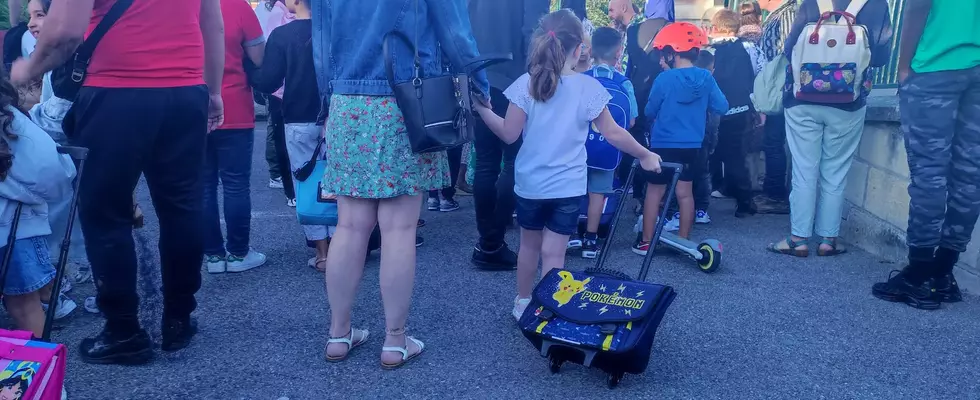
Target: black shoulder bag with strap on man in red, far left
[67,79]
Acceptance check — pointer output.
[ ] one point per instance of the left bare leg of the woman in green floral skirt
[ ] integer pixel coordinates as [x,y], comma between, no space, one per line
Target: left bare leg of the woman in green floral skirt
[345,265]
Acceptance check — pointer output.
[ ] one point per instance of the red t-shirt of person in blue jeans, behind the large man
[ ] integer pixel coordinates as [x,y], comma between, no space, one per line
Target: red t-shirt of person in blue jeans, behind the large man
[242,29]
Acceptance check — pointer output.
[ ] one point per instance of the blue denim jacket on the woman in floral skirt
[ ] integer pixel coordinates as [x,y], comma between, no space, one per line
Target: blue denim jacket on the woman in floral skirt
[348,36]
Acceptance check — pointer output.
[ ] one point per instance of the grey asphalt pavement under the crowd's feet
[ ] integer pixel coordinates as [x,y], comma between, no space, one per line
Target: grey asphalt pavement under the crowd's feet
[764,326]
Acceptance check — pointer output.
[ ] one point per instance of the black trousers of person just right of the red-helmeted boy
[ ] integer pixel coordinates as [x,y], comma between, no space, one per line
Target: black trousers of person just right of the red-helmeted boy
[730,156]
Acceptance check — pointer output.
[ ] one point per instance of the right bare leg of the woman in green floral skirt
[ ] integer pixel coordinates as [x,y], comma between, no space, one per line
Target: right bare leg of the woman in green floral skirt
[398,220]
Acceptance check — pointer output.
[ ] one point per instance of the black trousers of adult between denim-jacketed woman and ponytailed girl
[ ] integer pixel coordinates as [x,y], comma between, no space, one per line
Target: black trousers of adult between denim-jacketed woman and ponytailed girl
[493,185]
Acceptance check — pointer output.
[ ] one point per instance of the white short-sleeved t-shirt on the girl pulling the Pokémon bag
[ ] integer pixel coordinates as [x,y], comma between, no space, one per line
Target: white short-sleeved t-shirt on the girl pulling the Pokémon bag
[552,161]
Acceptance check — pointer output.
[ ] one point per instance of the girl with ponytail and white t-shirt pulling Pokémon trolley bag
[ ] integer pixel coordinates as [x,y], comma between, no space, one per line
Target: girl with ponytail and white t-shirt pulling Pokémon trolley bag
[553,106]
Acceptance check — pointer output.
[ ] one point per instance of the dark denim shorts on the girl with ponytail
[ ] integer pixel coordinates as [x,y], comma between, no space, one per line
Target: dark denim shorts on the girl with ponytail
[558,215]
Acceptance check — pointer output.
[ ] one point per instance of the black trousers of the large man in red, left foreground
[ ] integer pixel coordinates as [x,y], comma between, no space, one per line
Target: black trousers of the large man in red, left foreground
[159,133]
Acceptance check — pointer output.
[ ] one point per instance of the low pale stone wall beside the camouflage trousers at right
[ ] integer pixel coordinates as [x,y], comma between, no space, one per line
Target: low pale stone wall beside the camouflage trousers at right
[877,210]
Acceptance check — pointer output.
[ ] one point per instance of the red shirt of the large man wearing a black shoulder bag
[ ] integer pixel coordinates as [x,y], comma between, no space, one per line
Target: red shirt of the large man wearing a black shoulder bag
[155,44]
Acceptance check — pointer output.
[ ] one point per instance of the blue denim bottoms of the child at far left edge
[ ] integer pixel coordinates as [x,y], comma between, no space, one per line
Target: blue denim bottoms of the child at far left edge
[30,266]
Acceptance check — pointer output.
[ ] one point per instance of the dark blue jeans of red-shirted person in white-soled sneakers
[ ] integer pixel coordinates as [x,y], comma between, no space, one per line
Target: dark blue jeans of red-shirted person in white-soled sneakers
[228,158]
